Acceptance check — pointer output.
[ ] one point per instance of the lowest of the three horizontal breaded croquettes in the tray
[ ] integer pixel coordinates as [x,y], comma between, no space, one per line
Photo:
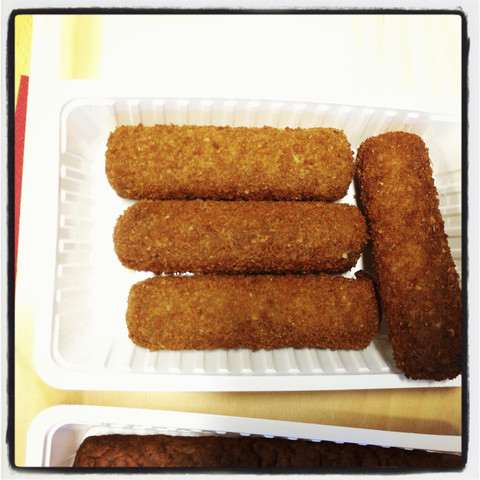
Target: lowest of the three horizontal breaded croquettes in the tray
[207,312]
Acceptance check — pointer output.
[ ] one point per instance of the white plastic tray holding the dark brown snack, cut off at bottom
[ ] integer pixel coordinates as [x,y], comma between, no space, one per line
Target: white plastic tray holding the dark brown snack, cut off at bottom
[56,433]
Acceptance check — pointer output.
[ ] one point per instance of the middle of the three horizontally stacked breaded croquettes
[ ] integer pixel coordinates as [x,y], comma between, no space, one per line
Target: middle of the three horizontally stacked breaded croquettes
[207,236]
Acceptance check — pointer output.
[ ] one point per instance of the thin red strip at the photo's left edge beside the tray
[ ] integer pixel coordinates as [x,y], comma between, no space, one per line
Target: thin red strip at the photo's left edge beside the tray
[20,123]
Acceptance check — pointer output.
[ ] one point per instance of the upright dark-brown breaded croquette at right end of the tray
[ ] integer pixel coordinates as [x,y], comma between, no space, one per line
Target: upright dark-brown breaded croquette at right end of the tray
[417,281]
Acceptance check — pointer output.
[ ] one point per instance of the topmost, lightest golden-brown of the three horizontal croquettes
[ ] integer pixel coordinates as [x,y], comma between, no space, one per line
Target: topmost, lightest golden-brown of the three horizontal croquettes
[227,163]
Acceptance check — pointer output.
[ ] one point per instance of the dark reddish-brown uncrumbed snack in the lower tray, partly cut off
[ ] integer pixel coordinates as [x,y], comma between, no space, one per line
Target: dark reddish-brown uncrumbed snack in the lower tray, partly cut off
[118,450]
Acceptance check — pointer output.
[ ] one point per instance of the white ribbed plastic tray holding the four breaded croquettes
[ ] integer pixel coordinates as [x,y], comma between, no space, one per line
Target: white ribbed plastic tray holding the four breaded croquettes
[81,339]
